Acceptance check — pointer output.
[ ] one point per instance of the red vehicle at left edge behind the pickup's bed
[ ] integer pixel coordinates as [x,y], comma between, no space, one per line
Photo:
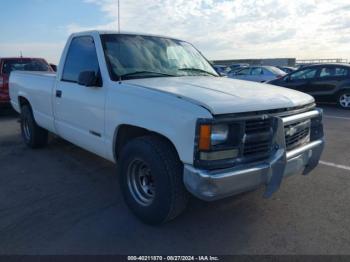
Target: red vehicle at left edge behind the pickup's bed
[7,65]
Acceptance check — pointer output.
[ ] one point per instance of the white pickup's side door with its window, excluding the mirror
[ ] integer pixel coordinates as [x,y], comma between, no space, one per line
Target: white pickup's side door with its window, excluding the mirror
[79,110]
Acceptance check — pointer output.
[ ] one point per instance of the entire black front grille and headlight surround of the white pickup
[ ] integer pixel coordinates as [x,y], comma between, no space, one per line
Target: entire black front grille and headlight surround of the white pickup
[258,136]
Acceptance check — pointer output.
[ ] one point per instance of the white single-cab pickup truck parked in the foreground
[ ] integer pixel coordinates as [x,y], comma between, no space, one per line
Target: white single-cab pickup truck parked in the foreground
[157,108]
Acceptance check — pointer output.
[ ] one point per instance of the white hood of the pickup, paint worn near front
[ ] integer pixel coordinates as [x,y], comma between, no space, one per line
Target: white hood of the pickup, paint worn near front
[224,95]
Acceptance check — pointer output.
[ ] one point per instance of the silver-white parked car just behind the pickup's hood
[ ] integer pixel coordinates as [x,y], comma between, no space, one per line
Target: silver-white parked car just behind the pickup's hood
[258,73]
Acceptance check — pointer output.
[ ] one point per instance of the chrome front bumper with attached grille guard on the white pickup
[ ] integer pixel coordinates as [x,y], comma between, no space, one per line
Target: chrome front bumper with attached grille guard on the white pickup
[217,184]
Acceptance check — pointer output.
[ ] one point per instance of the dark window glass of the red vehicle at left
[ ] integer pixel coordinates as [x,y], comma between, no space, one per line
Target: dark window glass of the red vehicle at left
[24,65]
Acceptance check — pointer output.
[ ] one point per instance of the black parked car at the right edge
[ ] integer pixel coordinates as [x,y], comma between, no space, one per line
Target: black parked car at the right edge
[325,82]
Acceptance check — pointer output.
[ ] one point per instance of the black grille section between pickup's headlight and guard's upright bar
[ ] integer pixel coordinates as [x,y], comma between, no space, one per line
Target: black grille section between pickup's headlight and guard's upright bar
[257,139]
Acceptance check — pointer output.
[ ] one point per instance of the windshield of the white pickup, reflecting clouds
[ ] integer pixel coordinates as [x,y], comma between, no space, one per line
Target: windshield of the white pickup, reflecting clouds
[136,56]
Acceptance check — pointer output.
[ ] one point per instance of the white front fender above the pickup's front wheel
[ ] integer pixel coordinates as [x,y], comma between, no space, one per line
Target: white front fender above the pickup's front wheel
[167,115]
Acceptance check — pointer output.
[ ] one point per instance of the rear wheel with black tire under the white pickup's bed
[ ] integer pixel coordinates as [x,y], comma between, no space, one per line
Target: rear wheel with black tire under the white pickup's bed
[33,135]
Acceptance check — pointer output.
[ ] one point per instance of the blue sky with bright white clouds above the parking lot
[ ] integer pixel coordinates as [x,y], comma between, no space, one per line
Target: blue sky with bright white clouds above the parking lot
[221,29]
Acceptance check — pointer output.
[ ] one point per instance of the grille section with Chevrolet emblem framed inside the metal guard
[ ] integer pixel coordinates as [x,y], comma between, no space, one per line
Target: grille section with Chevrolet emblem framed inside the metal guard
[297,134]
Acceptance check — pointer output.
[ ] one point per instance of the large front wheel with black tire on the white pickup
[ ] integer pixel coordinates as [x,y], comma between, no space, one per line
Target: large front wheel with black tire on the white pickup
[169,198]
